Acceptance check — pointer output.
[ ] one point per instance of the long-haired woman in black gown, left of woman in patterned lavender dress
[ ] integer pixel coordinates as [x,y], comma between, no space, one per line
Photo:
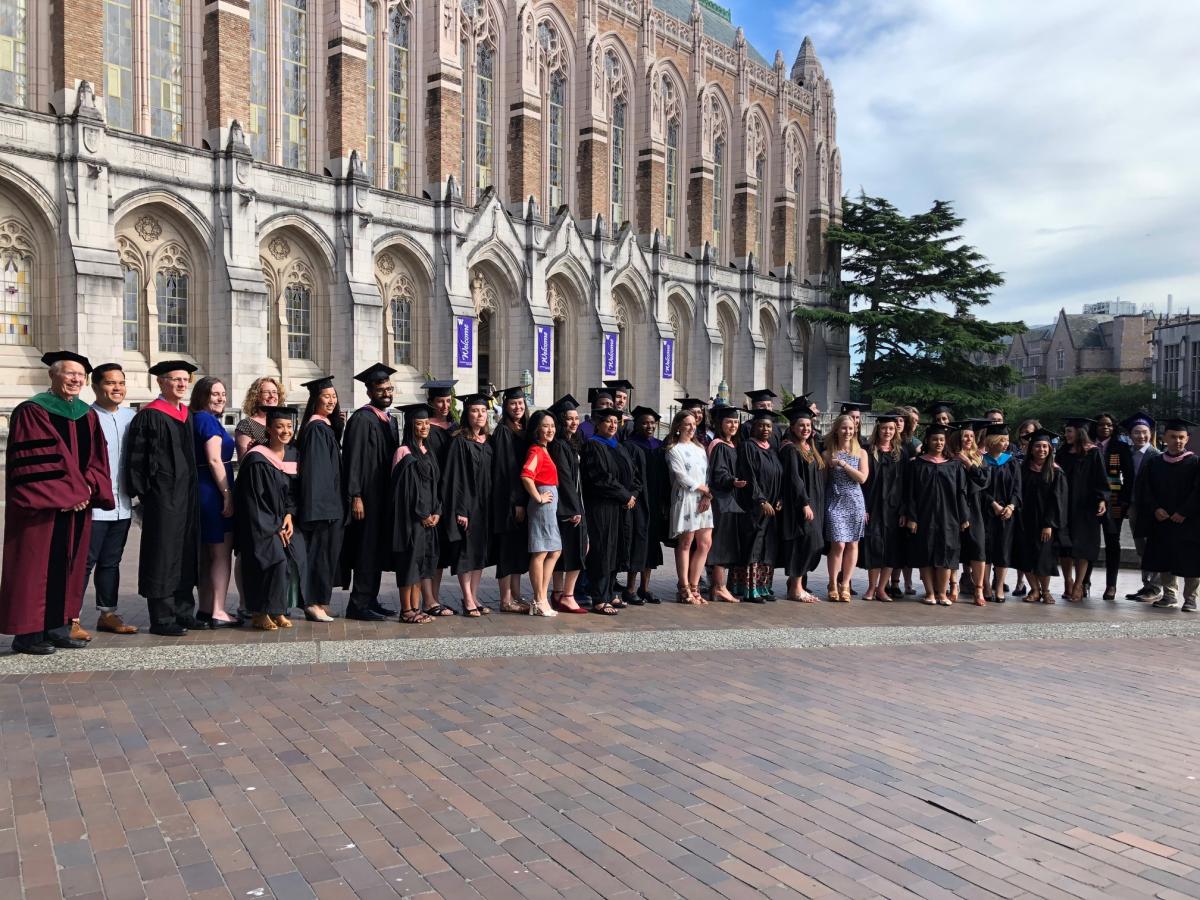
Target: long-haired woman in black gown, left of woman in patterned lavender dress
[802,518]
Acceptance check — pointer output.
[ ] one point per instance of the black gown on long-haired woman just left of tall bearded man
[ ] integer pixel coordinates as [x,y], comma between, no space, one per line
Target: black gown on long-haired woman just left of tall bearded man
[322,508]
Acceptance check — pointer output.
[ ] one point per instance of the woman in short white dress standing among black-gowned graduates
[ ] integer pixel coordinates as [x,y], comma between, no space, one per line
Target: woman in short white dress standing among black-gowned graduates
[692,507]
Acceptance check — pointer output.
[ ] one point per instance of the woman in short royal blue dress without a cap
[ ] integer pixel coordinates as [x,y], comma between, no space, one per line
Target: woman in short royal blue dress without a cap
[214,457]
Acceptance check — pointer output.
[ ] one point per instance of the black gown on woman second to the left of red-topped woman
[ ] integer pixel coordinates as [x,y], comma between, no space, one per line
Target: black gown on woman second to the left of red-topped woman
[467,493]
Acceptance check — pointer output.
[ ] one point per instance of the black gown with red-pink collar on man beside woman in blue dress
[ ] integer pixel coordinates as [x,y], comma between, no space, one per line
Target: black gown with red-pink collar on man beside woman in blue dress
[161,470]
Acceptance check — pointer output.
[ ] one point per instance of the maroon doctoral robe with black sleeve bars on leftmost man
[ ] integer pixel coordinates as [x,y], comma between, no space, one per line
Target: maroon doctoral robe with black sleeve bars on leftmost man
[53,464]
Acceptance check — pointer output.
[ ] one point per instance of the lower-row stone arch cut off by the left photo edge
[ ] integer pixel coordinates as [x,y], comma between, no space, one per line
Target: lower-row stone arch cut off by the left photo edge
[29,314]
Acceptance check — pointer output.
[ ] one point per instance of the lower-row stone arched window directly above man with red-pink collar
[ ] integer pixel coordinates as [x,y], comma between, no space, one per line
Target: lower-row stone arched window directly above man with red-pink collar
[165,283]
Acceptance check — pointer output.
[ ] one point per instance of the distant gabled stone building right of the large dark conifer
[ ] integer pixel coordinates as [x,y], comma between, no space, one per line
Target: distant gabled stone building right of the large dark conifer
[1081,345]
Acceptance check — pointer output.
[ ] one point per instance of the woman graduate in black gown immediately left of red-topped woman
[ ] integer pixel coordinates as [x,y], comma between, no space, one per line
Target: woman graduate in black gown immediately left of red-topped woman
[511,533]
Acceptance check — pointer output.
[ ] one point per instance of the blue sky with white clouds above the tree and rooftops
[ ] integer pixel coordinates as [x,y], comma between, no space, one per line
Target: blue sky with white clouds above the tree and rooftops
[1065,133]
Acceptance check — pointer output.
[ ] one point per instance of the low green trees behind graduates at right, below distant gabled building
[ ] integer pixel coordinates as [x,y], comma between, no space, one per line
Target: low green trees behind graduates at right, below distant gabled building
[1091,395]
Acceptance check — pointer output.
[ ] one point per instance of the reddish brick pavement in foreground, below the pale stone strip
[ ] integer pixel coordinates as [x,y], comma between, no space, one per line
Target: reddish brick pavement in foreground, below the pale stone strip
[1049,770]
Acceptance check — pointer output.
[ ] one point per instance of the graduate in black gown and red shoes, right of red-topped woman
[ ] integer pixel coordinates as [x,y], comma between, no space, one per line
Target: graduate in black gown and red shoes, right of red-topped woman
[573,529]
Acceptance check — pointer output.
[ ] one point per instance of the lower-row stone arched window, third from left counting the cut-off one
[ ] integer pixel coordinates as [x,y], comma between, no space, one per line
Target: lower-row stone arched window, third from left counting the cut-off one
[299,289]
